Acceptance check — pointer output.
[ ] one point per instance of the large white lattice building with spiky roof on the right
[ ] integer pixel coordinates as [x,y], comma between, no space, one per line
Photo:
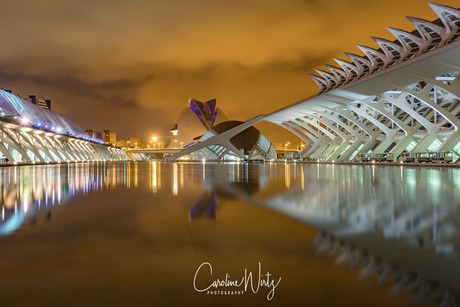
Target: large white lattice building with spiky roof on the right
[402,97]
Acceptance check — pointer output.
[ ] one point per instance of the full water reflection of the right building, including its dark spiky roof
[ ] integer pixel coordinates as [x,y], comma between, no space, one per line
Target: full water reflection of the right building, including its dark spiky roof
[405,228]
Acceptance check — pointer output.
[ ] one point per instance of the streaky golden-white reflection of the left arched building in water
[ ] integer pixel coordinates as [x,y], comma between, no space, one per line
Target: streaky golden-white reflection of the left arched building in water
[30,190]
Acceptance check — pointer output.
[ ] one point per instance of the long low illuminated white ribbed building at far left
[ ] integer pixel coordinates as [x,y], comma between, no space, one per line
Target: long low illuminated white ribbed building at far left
[29,133]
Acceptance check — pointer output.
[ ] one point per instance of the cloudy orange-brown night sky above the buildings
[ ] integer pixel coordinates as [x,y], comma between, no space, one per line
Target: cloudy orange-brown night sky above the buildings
[131,66]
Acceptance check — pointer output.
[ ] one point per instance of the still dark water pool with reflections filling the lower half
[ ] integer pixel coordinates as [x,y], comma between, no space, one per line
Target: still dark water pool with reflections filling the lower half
[129,234]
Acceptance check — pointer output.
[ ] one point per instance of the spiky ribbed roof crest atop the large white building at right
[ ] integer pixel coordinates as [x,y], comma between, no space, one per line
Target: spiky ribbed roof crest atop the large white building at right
[427,36]
